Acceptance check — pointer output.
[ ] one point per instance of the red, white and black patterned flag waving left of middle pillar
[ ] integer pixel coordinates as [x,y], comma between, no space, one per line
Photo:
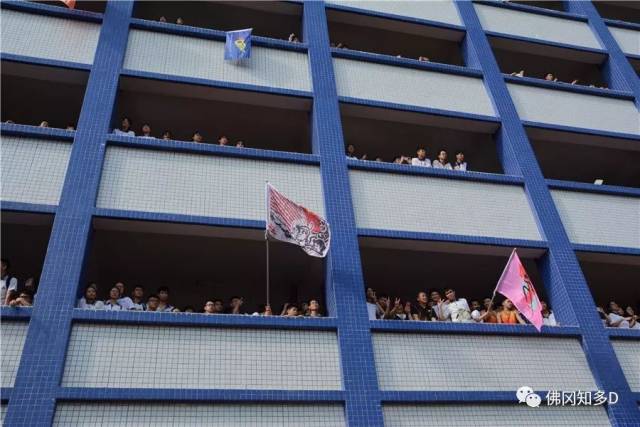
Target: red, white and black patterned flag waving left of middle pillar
[289,222]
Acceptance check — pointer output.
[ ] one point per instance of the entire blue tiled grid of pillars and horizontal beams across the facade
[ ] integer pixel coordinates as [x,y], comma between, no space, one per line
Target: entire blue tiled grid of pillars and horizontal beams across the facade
[33,397]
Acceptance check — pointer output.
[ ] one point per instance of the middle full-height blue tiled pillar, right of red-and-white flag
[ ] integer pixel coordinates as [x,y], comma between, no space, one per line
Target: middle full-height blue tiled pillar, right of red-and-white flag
[345,285]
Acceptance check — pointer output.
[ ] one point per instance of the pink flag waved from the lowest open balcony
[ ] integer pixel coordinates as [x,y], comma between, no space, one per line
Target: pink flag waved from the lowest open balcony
[516,285]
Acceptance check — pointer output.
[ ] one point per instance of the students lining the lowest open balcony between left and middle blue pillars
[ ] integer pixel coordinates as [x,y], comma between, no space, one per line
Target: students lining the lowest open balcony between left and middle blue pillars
[160,302]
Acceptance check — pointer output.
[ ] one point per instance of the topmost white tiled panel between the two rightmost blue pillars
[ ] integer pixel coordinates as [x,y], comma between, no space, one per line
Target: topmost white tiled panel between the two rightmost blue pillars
[535,26]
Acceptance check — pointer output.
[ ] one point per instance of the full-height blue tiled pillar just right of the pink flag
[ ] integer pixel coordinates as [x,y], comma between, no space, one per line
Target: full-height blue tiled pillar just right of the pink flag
[560,265]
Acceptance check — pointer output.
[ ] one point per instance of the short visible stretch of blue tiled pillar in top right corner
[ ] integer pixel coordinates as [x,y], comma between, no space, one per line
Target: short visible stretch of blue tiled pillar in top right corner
[617,70]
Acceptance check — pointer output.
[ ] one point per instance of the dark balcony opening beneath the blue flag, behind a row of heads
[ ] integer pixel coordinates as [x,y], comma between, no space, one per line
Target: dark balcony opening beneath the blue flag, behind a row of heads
[277,122]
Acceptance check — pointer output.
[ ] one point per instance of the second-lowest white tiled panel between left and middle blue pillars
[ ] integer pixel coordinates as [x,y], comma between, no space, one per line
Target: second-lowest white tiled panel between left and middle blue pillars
[196,358]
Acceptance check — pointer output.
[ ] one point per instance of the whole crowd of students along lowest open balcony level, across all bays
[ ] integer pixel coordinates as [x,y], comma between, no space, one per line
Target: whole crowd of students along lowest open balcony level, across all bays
[426,307]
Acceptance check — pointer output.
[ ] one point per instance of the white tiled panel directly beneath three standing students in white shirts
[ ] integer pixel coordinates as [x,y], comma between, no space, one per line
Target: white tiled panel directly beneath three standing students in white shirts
[436,205]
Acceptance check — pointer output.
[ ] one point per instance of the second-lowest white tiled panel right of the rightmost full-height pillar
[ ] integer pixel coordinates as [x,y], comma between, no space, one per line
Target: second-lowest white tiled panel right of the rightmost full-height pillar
[599,219]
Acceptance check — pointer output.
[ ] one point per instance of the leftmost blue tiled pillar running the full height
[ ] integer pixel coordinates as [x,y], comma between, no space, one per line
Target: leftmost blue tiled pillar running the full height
[41,367]
